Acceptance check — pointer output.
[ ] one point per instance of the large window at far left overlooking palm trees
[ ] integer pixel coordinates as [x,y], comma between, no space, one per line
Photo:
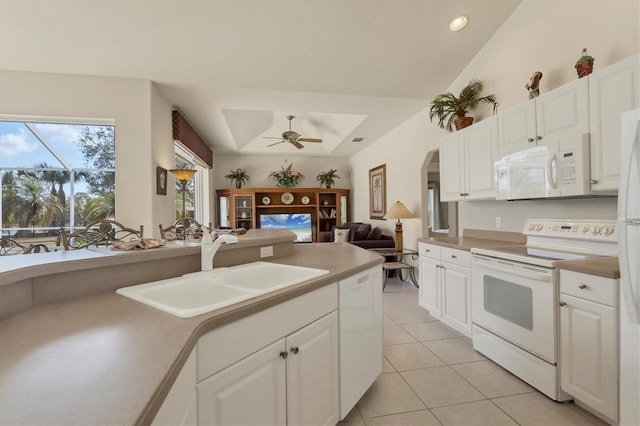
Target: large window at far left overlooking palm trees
[55,174]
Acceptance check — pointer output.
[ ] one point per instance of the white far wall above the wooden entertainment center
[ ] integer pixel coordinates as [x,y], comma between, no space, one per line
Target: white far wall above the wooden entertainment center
[258,167]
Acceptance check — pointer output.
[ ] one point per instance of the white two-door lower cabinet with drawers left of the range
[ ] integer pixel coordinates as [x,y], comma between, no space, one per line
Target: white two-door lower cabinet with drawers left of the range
[445,285]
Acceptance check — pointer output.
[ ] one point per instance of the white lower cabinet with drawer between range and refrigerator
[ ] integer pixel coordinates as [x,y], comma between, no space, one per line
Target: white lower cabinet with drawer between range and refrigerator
[589,341]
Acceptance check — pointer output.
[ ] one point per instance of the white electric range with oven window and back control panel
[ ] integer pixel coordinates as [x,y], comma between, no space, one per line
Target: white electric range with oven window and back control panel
[515,295]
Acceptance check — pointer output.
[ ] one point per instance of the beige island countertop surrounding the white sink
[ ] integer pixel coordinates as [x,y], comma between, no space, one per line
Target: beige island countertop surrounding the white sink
[103,358]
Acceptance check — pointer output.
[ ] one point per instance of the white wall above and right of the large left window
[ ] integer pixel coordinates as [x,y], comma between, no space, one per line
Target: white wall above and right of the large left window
[129,103]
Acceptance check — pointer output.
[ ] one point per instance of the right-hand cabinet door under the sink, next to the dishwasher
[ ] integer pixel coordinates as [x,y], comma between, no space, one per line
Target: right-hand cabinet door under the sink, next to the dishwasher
[312,374]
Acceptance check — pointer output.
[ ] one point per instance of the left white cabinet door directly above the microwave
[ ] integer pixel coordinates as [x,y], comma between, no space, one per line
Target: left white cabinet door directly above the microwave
[517,128]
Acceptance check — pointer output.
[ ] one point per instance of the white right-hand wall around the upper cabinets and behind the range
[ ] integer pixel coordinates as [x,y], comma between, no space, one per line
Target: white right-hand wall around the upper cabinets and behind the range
[541,35]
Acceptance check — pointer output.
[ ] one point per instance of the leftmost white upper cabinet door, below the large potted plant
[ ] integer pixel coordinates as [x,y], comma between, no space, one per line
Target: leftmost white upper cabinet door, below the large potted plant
[452,180]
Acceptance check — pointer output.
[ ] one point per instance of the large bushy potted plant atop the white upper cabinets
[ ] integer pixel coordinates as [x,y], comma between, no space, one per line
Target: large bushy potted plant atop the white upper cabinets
[449,109]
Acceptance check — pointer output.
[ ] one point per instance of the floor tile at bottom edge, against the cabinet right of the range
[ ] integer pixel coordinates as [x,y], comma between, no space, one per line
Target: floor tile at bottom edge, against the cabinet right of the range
[534,408]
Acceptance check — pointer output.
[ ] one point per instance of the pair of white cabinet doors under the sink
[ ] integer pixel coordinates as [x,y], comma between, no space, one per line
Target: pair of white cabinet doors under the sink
[292,381]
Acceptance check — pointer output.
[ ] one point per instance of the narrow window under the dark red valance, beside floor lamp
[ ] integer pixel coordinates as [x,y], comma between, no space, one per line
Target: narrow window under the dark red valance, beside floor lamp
[197,193]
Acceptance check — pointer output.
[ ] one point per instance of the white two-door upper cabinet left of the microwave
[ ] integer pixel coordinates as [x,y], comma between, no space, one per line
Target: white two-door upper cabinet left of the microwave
[467,162]
